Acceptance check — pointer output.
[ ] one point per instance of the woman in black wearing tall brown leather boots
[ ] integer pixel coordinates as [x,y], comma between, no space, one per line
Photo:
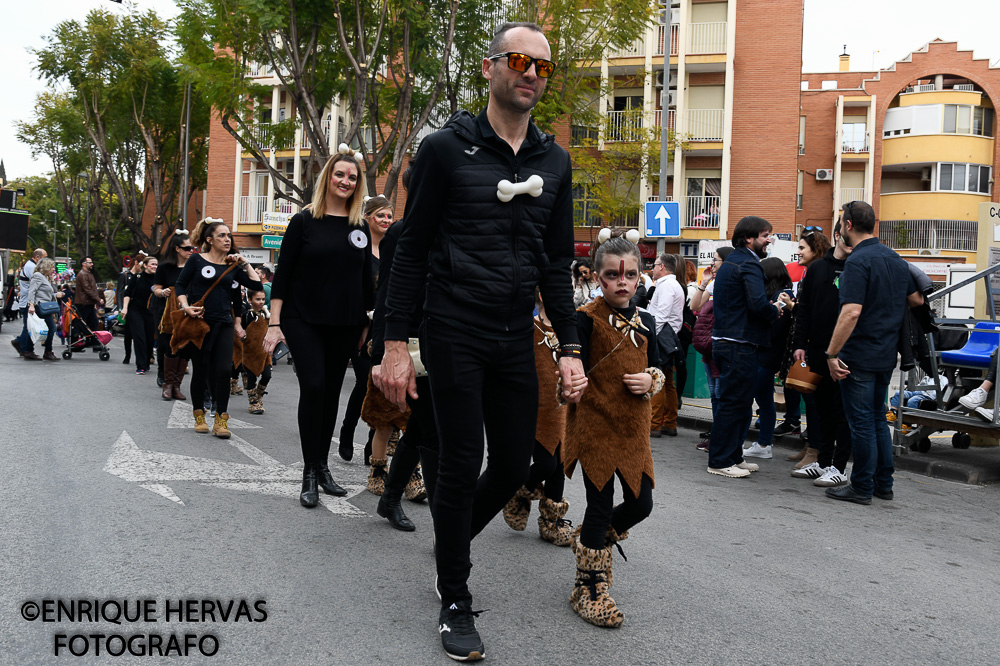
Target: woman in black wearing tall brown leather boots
[172,259]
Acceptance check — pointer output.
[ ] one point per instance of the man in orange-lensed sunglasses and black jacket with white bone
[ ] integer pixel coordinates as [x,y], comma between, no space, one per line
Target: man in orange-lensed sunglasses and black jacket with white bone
[480,253]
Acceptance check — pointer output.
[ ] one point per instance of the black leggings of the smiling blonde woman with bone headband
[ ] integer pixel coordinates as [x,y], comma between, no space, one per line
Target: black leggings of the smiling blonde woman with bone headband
[321,354]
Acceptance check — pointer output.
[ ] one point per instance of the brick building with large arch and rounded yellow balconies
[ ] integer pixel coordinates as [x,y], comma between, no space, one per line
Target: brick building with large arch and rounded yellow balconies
[916,140]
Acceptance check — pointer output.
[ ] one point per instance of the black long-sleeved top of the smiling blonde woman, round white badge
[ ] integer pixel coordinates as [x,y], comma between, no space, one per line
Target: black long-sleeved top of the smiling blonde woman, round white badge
[318,254]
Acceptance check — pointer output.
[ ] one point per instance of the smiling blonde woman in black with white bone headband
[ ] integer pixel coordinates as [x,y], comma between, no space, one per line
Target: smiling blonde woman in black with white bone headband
[324,326]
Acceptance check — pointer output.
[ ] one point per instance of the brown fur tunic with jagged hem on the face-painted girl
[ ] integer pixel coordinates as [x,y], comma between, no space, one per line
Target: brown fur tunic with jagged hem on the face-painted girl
[609,429]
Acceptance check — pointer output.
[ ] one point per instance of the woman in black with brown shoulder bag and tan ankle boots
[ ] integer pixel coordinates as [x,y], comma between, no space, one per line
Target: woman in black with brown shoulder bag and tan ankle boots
[204,291]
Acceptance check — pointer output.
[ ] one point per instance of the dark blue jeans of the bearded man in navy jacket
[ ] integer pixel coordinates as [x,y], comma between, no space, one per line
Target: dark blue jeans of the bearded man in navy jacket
[738,363]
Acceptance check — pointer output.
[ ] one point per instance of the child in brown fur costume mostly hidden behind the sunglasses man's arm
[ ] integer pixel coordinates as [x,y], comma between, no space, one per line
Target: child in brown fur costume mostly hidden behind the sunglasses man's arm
[545,479]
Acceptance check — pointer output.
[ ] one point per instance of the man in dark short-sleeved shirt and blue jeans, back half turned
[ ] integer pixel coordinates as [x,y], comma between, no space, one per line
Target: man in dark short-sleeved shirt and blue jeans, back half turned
[875,289]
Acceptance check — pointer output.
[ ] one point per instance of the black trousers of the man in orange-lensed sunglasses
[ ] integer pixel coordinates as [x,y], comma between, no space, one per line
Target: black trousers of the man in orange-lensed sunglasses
[477,383]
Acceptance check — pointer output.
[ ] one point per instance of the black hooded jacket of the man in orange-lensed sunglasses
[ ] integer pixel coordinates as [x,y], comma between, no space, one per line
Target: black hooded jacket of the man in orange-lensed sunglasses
[480,258]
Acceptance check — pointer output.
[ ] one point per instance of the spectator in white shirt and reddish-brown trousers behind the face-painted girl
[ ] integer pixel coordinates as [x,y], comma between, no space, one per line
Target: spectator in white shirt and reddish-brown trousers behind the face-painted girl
[667,308]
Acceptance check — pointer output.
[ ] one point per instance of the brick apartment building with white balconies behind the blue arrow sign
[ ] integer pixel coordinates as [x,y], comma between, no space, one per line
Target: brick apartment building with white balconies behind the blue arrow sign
[729,75]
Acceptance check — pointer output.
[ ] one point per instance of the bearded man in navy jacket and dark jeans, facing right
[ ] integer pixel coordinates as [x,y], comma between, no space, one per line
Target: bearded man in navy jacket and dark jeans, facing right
[743,315]
